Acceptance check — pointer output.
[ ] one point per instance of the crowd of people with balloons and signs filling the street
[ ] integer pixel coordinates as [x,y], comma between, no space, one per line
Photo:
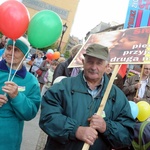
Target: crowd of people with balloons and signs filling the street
[68,107]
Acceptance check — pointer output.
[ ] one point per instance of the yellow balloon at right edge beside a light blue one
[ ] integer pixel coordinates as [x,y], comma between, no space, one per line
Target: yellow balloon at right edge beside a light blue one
[144,111]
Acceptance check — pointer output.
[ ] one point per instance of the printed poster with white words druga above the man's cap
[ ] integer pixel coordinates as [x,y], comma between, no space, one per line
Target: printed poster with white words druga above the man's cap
[127,46]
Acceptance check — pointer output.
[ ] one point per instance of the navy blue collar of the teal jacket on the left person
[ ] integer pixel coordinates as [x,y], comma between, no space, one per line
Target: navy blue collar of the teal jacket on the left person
[21,73]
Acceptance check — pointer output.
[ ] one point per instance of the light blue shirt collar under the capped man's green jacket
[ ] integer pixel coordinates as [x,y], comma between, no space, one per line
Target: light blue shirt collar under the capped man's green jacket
[97,90]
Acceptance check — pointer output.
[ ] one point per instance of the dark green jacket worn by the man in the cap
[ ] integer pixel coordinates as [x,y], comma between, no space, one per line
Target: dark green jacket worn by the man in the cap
[67,105]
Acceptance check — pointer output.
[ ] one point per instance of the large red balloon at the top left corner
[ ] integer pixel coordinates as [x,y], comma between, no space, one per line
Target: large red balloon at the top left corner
[14,19]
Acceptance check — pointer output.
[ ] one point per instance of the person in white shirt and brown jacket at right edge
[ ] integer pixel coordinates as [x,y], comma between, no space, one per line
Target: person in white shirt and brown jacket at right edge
[136,89]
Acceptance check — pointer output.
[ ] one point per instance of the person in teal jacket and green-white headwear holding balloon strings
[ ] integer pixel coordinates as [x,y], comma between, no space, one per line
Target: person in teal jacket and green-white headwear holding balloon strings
[19,94]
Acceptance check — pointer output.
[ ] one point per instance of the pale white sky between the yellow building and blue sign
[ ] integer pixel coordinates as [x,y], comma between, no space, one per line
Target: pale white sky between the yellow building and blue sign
[91,12]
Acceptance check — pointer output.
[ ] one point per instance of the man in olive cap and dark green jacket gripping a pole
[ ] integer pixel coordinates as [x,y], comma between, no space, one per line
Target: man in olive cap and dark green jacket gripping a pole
[68,109]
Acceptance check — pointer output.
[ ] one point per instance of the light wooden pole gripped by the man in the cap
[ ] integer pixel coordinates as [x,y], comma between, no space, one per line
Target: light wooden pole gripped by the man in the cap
[104,100]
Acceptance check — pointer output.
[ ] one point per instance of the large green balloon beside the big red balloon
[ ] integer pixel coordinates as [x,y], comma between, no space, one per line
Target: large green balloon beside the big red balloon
[44,29]
